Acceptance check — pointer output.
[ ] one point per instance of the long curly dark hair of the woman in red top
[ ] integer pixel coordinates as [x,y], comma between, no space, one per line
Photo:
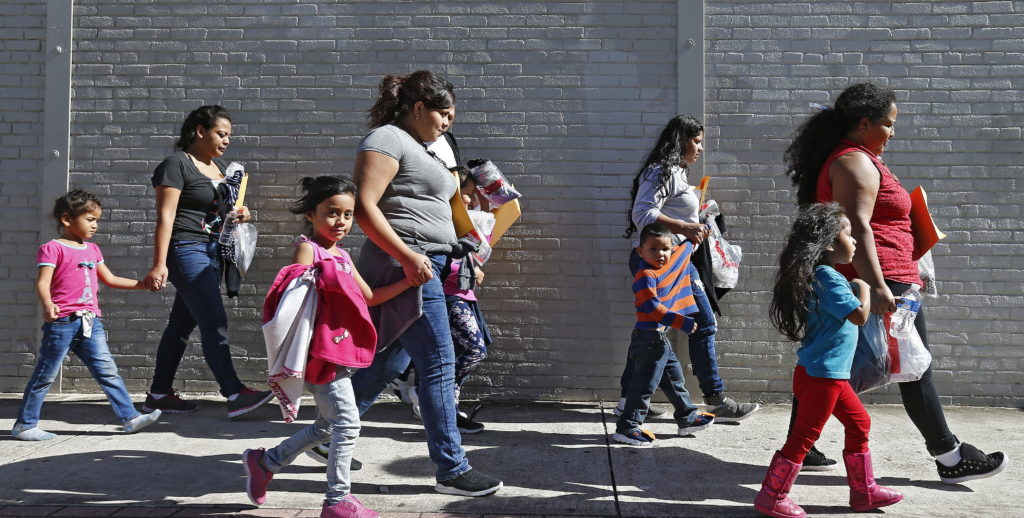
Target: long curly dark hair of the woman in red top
[820,135]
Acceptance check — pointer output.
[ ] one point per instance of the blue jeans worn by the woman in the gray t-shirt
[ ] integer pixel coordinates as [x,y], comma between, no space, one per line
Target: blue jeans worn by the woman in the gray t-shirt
[429,344]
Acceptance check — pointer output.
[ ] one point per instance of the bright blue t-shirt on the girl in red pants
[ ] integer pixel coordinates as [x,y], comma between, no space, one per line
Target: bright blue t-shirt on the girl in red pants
[827,351]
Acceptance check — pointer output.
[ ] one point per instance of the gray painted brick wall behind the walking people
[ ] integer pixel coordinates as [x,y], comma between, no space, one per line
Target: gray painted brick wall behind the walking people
[567,99]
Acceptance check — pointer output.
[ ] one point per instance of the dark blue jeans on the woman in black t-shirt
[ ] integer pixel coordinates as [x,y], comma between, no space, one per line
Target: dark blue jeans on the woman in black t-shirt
[195,270]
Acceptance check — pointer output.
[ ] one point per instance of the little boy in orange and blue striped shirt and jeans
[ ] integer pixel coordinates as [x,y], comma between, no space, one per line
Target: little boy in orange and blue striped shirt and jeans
[663,298]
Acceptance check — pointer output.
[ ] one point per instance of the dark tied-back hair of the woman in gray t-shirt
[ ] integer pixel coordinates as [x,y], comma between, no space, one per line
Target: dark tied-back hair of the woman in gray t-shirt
[399,95]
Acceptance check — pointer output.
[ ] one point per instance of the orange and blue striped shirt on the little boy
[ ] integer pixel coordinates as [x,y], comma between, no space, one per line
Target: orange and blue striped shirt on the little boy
[664,296]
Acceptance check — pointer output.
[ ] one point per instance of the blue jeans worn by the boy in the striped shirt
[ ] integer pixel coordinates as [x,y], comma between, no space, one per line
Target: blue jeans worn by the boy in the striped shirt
[655,365]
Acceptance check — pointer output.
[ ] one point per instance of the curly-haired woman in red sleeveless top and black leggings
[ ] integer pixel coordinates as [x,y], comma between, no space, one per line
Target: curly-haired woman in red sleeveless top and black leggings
[836,156]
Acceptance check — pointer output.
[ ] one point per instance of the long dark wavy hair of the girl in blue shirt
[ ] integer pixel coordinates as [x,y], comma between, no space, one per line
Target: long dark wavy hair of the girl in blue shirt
[816,230]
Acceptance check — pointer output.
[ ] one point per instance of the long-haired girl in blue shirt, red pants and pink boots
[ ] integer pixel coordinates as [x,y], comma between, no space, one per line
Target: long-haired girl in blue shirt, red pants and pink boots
[814,304]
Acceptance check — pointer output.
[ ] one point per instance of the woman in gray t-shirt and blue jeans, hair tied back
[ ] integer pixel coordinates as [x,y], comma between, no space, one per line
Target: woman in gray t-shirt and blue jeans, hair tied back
[403,207]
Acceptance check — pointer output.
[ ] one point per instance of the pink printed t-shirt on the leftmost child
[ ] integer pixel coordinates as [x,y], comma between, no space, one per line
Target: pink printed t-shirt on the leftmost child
[75,285]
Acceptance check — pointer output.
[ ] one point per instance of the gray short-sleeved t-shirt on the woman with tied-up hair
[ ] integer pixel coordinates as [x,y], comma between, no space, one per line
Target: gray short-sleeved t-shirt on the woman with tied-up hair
[416,203]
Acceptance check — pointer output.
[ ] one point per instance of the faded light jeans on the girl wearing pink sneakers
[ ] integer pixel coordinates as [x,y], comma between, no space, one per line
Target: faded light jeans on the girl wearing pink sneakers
[337,422]
